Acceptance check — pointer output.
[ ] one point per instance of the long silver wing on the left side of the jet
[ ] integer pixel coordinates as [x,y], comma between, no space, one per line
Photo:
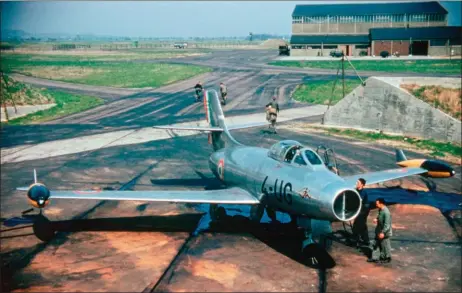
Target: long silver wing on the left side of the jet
[223,196]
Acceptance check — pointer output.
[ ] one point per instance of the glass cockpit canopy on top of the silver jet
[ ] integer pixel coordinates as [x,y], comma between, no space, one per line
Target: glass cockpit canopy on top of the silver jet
[293,152]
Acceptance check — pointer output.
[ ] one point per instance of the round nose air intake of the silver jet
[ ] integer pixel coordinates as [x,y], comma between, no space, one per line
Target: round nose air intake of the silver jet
[346,205]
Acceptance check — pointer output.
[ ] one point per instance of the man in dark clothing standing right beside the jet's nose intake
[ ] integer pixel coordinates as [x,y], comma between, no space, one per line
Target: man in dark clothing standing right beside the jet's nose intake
[360,231]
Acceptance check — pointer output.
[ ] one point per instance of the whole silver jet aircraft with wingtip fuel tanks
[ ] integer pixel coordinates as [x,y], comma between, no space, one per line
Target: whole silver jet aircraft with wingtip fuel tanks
[288,177]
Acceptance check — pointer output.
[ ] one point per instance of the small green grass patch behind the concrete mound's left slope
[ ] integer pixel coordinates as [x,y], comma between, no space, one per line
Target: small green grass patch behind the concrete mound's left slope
[319,92]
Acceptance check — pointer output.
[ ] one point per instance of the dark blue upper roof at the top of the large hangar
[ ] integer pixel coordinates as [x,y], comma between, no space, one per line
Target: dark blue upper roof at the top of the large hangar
[352,9]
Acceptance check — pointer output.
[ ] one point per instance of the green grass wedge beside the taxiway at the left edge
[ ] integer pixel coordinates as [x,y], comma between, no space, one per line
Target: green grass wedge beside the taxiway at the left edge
[66,104]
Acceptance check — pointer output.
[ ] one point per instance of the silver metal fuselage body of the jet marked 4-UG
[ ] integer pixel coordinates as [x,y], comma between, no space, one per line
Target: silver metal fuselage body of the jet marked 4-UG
[282,185]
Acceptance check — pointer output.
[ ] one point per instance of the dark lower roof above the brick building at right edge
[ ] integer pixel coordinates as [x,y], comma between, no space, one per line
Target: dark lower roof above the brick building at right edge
[421,33]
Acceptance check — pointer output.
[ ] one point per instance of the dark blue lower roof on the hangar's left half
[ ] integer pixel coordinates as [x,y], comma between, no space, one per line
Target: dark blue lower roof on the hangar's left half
[330,39]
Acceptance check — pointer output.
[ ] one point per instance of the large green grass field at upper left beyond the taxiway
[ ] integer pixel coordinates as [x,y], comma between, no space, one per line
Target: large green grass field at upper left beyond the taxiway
[94,70]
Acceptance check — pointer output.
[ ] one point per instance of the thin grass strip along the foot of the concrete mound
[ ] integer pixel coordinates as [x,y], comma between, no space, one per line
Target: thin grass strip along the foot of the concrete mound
[437,148]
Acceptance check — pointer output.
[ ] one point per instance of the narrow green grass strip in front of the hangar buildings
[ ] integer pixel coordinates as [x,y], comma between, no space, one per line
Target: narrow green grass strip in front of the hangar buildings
[423,66]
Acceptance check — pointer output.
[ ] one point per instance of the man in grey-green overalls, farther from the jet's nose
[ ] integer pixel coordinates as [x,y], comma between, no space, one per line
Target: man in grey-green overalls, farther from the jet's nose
[383,232]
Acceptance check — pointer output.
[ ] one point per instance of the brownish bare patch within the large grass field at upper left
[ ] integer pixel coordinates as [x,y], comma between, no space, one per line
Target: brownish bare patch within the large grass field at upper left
[59,73]
